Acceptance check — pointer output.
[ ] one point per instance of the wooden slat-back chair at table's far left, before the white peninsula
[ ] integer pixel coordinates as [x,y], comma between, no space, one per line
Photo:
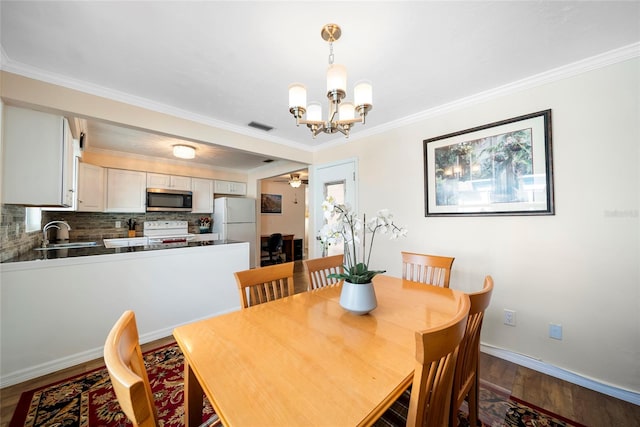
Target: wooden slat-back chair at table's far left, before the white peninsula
[265,284]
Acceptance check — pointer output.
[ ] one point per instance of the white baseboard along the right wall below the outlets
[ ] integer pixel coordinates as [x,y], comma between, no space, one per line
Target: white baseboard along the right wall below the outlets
[554,371]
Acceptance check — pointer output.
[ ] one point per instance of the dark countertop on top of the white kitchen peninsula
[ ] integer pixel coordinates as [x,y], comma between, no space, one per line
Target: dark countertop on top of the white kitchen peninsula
[35,255]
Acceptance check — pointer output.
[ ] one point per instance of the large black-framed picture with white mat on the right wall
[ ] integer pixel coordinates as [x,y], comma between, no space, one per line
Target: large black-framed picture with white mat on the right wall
[503,168]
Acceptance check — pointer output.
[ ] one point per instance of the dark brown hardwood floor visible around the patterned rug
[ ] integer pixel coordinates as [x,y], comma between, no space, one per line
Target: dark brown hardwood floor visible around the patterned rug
[568,400]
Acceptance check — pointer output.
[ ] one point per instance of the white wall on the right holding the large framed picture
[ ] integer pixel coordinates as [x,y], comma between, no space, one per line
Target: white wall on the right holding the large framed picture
[580,267]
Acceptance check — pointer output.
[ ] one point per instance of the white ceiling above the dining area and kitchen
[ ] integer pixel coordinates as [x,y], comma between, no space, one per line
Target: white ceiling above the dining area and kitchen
[227,63]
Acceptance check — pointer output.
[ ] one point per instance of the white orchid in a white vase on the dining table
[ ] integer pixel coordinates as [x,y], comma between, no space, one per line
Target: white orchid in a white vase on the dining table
[358,295]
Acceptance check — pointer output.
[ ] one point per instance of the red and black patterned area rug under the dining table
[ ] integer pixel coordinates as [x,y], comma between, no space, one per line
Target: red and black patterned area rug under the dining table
[87,400]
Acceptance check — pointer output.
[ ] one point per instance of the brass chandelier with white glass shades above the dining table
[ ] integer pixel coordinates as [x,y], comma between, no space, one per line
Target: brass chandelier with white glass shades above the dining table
[336,91]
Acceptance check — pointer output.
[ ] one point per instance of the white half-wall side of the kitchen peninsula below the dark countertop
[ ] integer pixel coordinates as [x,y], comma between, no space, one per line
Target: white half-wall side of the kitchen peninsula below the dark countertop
[56,313]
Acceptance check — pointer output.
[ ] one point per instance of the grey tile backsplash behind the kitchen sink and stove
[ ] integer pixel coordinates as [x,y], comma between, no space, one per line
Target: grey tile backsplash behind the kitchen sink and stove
[84,226]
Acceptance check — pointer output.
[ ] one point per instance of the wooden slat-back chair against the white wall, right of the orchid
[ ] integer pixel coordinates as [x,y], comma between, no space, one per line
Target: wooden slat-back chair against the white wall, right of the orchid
[430,269]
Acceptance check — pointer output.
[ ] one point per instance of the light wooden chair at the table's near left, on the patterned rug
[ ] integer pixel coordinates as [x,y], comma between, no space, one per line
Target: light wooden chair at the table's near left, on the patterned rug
[125,364]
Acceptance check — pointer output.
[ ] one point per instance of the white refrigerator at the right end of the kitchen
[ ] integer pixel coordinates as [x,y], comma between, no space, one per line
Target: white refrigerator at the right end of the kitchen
[234,218]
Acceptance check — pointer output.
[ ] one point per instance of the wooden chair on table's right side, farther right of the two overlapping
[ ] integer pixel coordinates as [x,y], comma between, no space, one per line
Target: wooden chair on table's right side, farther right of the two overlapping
[465,380]
